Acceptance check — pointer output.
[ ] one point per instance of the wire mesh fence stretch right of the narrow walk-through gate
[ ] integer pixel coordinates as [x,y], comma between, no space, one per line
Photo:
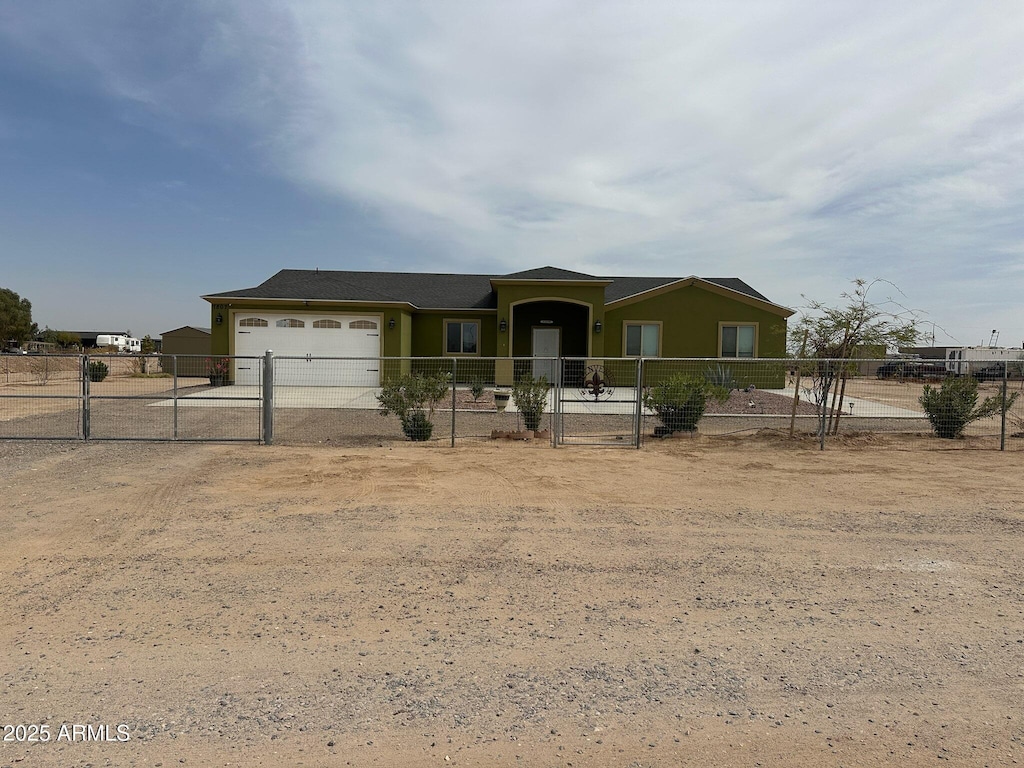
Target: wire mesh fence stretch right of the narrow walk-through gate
[836,399]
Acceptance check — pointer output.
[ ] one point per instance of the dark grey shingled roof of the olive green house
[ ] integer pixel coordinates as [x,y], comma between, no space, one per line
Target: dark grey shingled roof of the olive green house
[431,291]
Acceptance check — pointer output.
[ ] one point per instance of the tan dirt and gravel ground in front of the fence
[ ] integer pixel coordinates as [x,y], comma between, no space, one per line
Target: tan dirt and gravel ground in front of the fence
[700,603]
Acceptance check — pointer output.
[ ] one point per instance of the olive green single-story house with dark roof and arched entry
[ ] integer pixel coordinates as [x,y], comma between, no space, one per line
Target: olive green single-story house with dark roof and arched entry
[538,313]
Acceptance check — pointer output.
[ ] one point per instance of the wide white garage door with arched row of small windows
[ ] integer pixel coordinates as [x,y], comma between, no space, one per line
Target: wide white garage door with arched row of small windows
[308,336]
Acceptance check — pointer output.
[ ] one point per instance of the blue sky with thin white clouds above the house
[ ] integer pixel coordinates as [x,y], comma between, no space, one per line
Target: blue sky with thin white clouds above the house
[154,152]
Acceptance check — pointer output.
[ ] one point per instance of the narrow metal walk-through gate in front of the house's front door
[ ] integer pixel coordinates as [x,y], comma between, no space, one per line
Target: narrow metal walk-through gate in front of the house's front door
[599,402]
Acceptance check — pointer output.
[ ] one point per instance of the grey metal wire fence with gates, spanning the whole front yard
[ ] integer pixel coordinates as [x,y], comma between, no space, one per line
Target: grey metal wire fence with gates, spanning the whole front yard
[566,402]
